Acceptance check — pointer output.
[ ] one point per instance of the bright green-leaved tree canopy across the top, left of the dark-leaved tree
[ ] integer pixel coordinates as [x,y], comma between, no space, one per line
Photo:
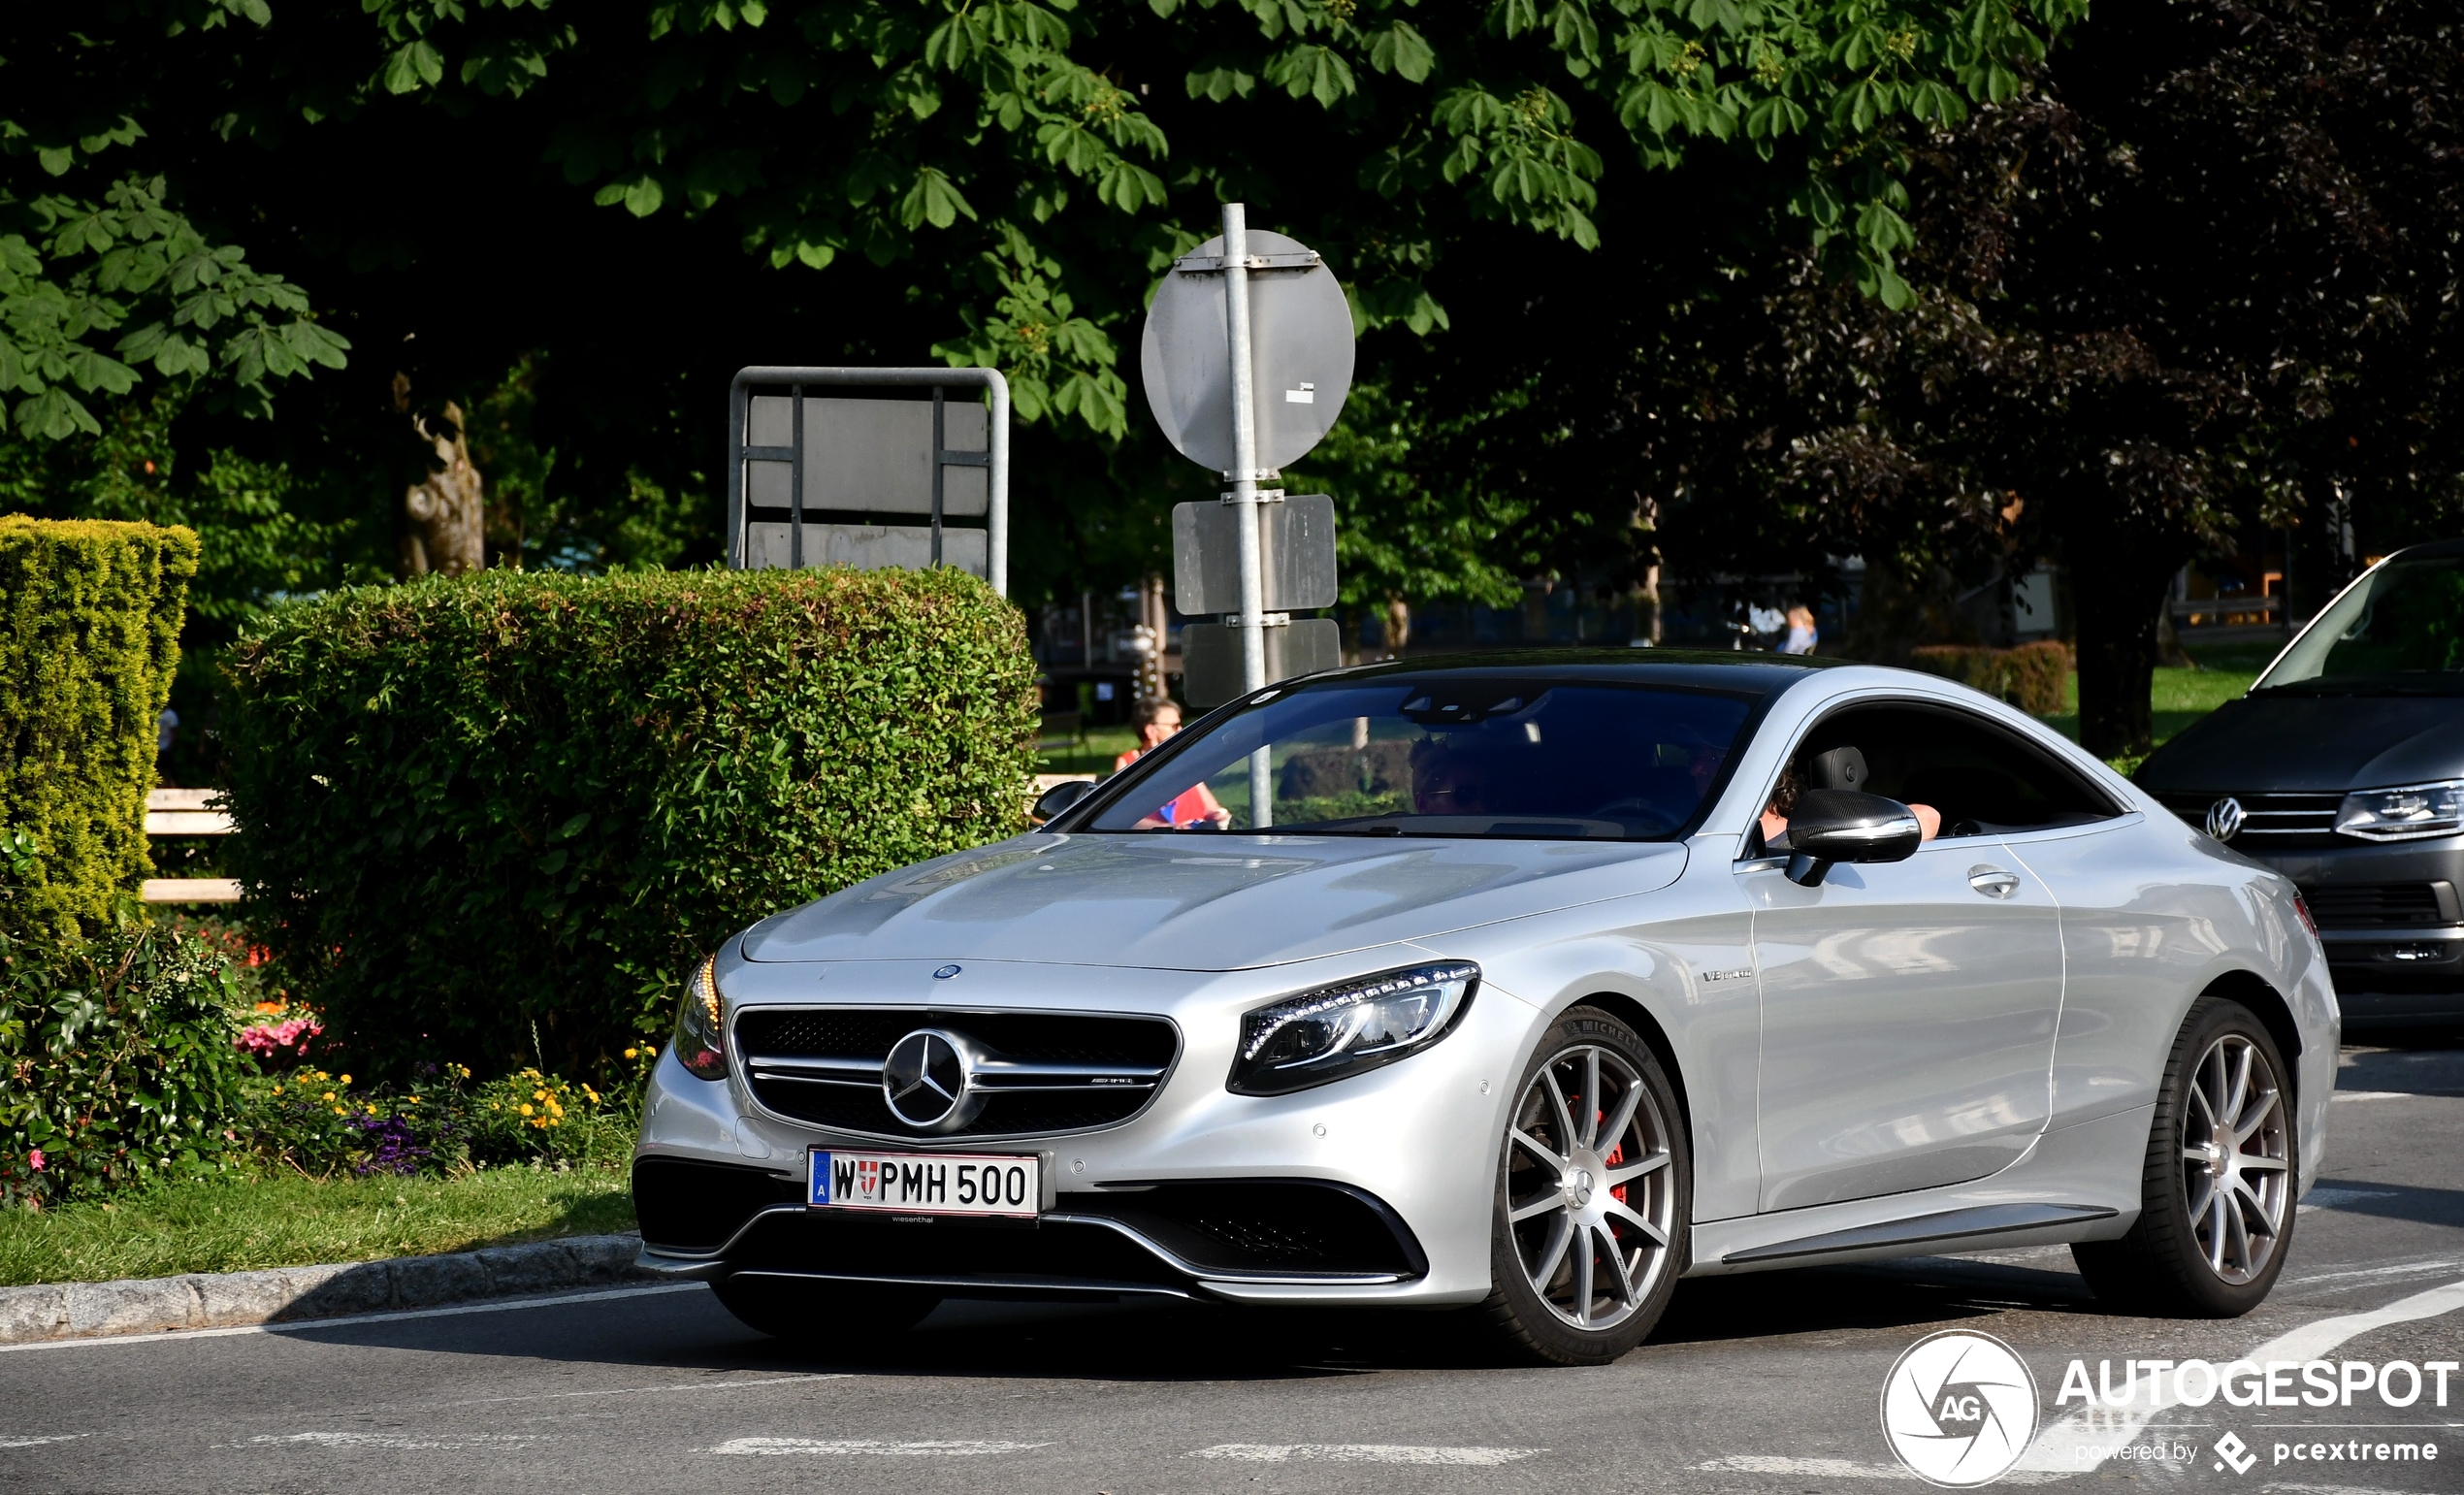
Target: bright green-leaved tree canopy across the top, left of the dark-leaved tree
[657,193]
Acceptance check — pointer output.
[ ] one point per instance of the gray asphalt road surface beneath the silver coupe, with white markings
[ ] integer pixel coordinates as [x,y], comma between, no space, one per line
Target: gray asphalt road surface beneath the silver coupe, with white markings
[1763,1383]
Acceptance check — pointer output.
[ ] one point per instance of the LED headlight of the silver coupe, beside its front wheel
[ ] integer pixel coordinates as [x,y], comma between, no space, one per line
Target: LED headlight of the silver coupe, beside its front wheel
[1352,1028]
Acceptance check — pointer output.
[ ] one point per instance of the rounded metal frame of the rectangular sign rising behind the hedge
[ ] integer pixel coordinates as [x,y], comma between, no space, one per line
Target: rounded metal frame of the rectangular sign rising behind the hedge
[873,457]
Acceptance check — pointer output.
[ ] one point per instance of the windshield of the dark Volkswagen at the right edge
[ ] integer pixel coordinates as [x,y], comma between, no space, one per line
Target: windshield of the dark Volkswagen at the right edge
[2399,629]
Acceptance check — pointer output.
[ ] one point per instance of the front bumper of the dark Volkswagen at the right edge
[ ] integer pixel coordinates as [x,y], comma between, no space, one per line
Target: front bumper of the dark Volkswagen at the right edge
[2384,972]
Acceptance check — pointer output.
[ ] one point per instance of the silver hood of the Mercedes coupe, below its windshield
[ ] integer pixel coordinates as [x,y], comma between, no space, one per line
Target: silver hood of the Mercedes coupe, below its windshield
[1201,903]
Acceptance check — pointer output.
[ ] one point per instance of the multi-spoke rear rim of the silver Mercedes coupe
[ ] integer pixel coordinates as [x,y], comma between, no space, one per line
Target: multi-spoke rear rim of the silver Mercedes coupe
[2236,1159]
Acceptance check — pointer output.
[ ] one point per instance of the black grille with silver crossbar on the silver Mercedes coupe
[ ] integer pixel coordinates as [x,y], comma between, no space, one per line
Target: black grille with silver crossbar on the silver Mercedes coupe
[1044,1073]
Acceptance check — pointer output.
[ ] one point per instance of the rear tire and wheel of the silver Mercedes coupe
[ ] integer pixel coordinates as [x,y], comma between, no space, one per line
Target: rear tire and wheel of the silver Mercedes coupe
[2216,1218]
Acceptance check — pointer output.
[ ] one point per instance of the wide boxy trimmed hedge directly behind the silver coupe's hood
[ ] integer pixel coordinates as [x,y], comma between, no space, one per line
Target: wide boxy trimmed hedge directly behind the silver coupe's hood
[496,819]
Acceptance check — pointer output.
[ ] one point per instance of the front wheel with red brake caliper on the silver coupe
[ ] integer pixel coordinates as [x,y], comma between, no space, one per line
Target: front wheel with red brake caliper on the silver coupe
[1591,1223]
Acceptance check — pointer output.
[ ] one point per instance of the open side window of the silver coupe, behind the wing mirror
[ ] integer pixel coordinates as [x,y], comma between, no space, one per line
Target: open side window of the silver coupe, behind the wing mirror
[1977,775]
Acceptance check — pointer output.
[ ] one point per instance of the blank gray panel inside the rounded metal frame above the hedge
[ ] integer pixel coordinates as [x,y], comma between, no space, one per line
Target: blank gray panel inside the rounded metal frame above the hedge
[869,454]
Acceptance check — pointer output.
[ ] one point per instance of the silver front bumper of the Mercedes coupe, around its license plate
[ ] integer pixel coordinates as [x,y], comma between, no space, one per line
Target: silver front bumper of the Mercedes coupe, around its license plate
[1366,1191]
